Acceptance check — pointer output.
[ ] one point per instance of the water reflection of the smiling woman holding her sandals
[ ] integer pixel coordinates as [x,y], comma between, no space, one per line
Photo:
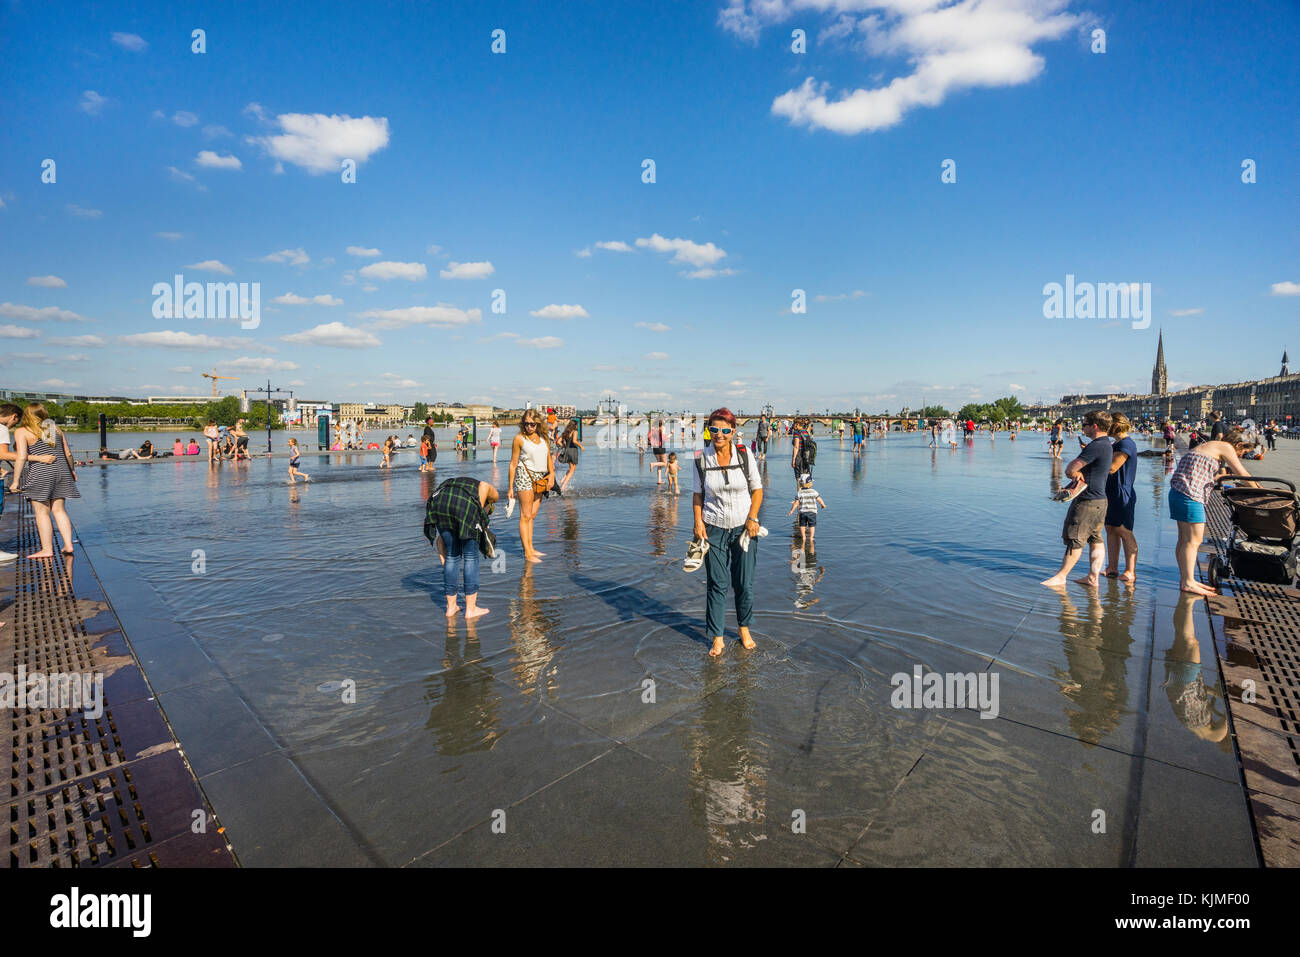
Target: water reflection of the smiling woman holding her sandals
[729,773]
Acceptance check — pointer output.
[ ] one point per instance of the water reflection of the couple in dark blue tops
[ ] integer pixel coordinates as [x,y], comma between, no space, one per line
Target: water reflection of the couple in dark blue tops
[1097,651]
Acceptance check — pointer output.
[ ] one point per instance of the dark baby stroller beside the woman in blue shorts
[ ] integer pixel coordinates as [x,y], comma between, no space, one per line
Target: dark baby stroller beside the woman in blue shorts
[1264,545]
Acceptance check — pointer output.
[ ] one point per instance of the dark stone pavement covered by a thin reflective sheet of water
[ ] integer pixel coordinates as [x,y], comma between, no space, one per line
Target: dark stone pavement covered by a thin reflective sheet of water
[532,737]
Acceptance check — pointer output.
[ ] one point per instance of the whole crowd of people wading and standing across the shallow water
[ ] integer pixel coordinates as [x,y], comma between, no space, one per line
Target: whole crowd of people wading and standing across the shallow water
[727,486]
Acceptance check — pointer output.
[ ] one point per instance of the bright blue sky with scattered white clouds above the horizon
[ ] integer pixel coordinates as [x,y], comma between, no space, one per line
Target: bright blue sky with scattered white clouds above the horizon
[505,172]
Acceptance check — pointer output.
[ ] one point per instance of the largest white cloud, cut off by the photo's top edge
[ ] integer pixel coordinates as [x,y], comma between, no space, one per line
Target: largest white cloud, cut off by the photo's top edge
[950,47]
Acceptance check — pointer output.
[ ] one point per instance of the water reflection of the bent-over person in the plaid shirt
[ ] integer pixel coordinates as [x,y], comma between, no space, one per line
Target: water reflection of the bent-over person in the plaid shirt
[466,713]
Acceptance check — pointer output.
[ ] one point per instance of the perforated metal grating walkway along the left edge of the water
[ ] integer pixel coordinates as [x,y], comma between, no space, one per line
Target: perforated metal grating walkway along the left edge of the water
[84,790]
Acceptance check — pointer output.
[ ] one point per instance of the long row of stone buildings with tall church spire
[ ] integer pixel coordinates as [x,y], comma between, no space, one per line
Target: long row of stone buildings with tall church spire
[1260,400]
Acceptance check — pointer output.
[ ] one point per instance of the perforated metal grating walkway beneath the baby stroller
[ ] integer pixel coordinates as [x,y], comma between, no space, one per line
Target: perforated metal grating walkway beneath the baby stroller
[1258,636]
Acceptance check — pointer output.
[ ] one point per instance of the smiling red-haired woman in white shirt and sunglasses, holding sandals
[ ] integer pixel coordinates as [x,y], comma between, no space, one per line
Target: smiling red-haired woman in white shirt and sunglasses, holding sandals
[729,495]
